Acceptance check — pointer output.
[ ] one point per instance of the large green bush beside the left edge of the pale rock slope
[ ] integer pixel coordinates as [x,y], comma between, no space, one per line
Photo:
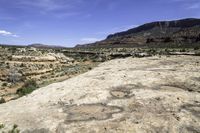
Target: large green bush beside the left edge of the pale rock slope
[27,88]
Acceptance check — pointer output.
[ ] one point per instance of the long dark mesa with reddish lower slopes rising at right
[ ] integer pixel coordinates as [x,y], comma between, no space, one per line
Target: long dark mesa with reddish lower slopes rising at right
[177,33]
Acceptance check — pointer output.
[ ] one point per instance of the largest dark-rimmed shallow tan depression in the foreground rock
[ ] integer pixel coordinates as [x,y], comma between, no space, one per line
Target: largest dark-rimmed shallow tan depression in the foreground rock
[88,112]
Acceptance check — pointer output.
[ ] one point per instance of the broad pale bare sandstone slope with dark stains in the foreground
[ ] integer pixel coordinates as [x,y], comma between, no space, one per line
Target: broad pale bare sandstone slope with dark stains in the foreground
[129,95]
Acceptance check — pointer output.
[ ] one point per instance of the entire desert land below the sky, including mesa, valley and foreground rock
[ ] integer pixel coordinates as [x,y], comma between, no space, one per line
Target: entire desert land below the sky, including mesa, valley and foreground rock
[144,80]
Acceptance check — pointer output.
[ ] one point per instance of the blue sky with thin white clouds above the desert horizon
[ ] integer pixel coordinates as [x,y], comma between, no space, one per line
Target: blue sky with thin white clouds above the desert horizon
[71,22]
